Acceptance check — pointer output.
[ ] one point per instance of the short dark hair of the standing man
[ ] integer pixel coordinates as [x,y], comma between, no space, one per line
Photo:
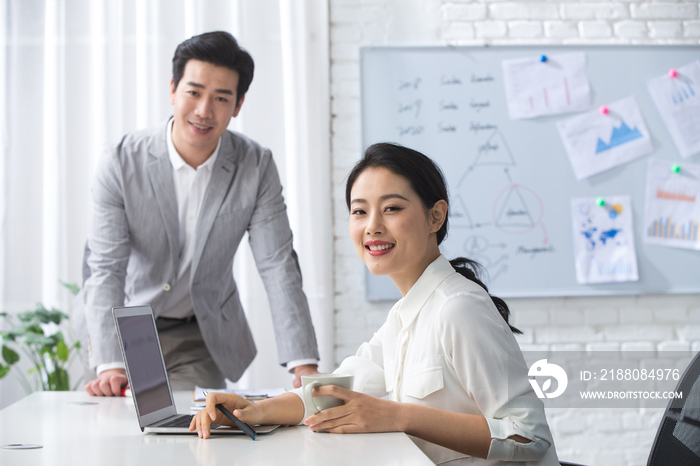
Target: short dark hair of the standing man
[218,48]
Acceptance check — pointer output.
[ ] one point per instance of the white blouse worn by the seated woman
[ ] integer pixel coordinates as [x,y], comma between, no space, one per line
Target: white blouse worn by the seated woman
[445,345]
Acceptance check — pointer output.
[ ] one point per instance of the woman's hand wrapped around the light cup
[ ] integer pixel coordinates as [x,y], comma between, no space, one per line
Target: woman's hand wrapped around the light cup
[360,413]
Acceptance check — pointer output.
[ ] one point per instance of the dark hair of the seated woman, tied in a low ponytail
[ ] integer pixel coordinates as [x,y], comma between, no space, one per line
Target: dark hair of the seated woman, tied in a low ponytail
[428,181]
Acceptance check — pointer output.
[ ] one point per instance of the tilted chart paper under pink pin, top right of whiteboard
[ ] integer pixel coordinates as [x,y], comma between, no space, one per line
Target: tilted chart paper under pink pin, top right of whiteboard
[678,101]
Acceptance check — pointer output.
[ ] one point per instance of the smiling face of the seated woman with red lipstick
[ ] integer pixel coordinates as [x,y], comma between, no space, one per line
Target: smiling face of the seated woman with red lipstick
[392,231]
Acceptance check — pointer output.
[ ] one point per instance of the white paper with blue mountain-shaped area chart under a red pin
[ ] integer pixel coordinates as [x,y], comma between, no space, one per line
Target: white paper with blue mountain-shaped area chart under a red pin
[597,142]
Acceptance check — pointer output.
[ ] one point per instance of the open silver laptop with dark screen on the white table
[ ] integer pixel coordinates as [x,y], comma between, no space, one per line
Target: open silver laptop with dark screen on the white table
[148,378]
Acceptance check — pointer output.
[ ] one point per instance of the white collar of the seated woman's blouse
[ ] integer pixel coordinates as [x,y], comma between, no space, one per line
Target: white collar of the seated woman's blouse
[410,305]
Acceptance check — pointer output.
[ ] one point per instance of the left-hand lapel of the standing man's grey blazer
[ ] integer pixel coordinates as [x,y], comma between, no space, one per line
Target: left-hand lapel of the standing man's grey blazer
[160,172]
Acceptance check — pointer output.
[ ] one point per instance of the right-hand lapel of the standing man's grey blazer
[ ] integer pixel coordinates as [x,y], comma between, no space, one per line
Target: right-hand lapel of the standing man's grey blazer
[219,183]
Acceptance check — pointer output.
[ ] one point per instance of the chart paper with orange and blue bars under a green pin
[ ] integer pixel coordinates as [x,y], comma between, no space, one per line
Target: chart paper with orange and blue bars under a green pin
[672,209]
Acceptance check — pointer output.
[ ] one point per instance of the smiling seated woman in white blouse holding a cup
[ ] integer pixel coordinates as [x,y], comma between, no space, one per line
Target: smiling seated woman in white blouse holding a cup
[445,358]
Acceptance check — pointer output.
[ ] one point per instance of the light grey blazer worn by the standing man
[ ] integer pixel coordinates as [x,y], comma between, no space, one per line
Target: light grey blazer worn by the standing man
[135,256]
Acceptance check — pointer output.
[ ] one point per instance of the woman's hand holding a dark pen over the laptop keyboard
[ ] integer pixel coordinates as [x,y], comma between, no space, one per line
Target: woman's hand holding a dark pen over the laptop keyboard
[240,407]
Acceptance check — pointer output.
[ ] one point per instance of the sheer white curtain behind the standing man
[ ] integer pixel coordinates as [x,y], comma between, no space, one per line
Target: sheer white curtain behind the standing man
[78,74]
